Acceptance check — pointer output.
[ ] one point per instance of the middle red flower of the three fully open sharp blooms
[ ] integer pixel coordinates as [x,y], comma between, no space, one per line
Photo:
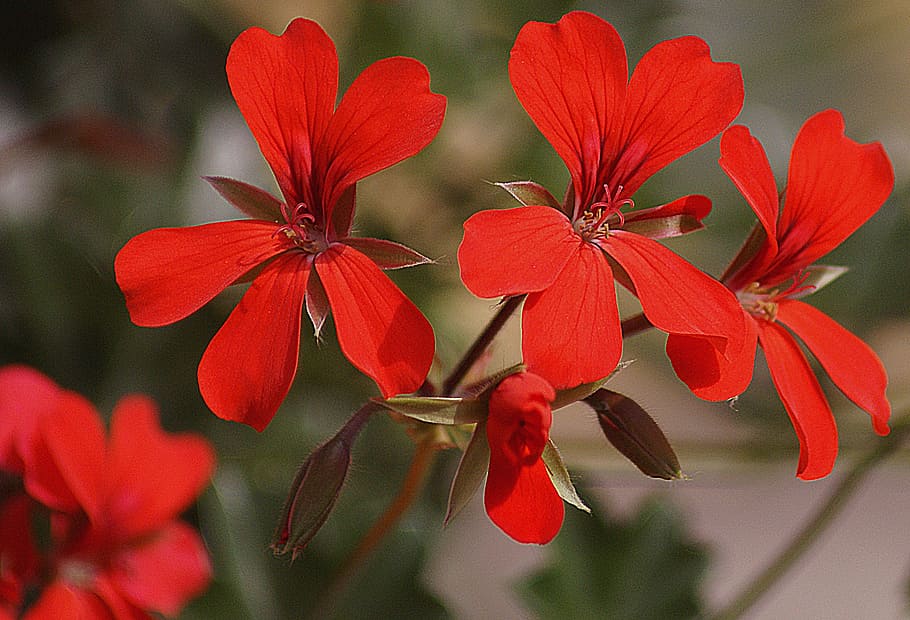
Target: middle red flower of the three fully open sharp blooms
[612,133]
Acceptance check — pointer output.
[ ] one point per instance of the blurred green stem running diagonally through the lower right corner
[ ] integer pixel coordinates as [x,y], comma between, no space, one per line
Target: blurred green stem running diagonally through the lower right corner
[816,525]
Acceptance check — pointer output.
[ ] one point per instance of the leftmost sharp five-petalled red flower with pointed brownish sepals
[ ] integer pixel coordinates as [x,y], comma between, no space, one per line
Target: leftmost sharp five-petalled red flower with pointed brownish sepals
[299,249]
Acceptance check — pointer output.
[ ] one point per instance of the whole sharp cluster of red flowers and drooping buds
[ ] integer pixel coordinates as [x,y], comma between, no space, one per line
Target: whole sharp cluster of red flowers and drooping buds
[560,258]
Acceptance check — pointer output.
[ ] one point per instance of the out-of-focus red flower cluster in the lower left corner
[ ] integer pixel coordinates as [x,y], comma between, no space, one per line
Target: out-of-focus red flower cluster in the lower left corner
[115,547]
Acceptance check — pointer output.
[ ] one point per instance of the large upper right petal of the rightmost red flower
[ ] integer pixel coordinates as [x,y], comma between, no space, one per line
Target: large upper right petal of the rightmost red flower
[834,186]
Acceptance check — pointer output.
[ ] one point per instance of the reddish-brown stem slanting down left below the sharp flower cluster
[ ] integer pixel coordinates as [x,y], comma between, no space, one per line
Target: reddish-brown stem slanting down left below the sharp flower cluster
[410,488]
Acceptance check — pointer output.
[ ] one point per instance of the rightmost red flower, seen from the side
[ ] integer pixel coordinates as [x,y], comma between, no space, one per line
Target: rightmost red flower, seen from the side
[818,210]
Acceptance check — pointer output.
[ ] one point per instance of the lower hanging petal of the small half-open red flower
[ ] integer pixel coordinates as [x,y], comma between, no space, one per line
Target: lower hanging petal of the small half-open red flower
[522,501]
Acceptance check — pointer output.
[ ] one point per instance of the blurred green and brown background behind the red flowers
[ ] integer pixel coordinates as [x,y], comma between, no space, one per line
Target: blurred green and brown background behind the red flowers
[111,110]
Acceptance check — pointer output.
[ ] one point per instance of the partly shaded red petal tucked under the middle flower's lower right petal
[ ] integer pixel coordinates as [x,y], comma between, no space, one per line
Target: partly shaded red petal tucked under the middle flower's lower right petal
[712,374]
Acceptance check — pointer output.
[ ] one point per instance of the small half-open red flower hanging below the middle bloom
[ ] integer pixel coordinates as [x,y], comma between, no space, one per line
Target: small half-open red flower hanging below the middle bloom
[519,496]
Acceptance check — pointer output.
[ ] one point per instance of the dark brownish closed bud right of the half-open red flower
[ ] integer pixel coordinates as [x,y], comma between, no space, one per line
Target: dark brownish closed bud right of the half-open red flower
[635,434]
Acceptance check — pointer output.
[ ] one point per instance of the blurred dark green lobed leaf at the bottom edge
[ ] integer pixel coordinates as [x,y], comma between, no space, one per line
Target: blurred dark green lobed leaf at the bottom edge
[643,568]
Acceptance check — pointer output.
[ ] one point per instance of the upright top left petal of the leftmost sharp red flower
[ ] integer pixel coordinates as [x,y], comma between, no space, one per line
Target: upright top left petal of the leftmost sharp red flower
[285,88]
